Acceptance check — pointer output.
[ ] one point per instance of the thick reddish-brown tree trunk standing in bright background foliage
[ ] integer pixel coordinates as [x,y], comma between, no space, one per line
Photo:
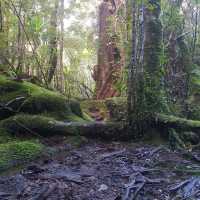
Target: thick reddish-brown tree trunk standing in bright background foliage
[106,73]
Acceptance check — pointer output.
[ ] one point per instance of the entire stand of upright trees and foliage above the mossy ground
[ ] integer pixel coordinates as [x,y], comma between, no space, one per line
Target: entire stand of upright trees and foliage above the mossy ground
[146,52]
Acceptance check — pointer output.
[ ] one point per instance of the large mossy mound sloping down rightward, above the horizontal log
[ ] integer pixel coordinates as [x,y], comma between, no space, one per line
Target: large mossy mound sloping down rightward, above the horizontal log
[37,100]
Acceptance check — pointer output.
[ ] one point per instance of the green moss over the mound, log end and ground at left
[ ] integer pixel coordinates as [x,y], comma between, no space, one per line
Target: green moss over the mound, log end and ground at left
[30,111]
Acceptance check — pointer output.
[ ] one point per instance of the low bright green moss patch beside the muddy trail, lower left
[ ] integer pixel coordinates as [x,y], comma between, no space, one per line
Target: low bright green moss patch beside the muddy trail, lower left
[13,153]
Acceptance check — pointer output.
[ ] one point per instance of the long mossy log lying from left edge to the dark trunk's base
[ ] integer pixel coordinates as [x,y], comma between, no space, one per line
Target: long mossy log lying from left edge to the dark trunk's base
[36,125]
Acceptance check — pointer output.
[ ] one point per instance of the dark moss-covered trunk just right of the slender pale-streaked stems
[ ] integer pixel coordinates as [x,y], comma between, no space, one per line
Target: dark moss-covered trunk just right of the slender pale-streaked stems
[152,52]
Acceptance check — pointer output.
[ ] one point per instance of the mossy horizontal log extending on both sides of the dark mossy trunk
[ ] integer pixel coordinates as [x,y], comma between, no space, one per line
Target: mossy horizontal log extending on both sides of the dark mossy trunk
[38,125]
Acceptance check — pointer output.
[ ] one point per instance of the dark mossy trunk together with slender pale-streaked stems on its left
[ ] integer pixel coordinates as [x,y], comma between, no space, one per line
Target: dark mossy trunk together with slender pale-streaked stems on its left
[145,86]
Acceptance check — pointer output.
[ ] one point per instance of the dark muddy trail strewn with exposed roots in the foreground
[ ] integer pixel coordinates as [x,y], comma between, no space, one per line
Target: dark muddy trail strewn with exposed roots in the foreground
[107,171]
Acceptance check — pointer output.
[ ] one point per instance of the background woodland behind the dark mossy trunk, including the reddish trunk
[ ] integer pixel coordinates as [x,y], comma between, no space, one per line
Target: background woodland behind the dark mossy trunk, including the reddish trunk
[62,46]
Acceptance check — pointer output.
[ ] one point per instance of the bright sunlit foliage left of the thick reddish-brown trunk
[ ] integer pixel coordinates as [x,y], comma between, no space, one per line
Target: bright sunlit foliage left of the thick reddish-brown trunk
[26,36]
